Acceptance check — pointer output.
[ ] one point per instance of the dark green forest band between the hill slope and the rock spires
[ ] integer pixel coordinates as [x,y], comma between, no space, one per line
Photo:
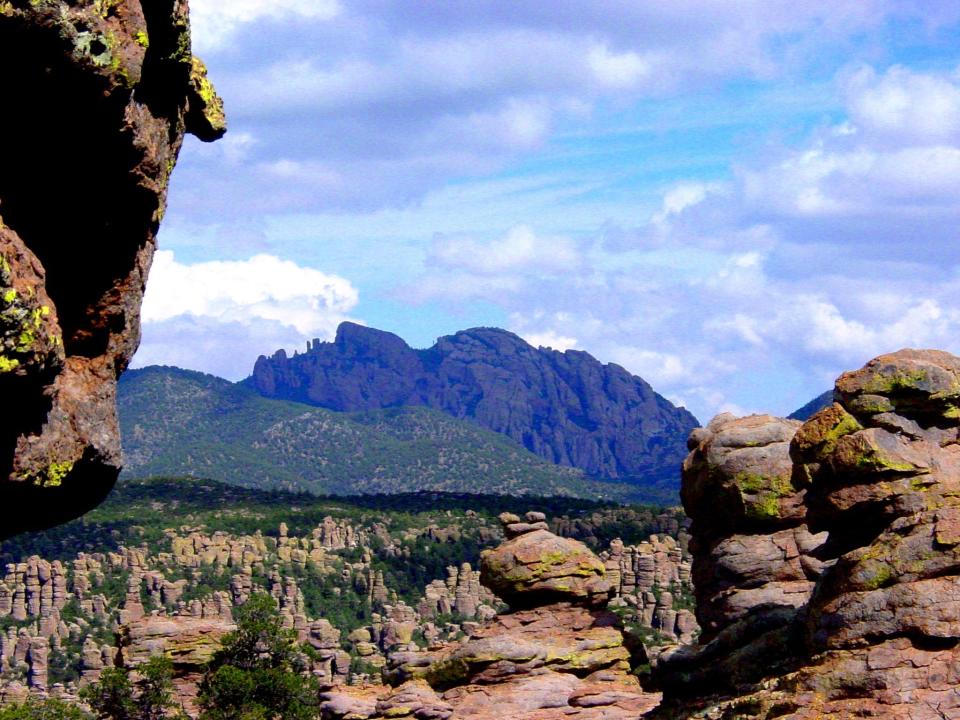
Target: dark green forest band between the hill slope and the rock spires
[138,512]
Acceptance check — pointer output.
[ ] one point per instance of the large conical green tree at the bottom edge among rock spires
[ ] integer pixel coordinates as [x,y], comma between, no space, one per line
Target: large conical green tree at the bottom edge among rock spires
[260,673]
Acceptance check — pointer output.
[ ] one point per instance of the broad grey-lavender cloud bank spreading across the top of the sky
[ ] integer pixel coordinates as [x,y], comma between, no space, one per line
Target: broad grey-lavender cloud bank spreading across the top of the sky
[385,101]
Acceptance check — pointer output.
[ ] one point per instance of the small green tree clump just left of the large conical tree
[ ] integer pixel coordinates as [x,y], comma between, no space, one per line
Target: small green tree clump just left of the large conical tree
[114,696]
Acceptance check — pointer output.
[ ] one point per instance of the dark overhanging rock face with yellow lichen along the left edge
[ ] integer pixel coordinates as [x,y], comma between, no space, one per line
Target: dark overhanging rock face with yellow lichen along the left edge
[97,97]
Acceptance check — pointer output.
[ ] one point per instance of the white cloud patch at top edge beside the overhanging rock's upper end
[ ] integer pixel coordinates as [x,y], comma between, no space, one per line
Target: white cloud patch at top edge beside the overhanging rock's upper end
[213,22]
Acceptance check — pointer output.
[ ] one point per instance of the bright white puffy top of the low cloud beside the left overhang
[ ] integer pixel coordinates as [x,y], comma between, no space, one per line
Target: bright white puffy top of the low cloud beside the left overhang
[263,288]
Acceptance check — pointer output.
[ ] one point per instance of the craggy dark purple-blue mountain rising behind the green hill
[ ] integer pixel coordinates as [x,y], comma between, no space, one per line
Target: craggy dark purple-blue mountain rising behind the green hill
[566,407]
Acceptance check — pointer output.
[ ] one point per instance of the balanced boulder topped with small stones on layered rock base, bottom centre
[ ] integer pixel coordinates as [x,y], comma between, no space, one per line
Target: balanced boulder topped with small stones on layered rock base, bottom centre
[556,653]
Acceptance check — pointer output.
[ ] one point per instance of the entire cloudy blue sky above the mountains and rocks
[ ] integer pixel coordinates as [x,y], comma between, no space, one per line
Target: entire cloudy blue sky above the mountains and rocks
[736,201]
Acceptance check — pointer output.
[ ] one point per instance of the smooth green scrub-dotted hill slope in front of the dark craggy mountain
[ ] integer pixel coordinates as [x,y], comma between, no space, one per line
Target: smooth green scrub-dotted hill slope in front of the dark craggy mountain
[186,423]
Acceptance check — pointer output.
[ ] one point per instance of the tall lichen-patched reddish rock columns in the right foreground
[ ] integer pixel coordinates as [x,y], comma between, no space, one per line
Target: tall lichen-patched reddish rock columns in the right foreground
[827,578]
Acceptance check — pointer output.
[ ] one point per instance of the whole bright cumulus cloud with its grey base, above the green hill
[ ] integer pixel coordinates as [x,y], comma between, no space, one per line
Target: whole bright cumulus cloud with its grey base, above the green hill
[219,316]
